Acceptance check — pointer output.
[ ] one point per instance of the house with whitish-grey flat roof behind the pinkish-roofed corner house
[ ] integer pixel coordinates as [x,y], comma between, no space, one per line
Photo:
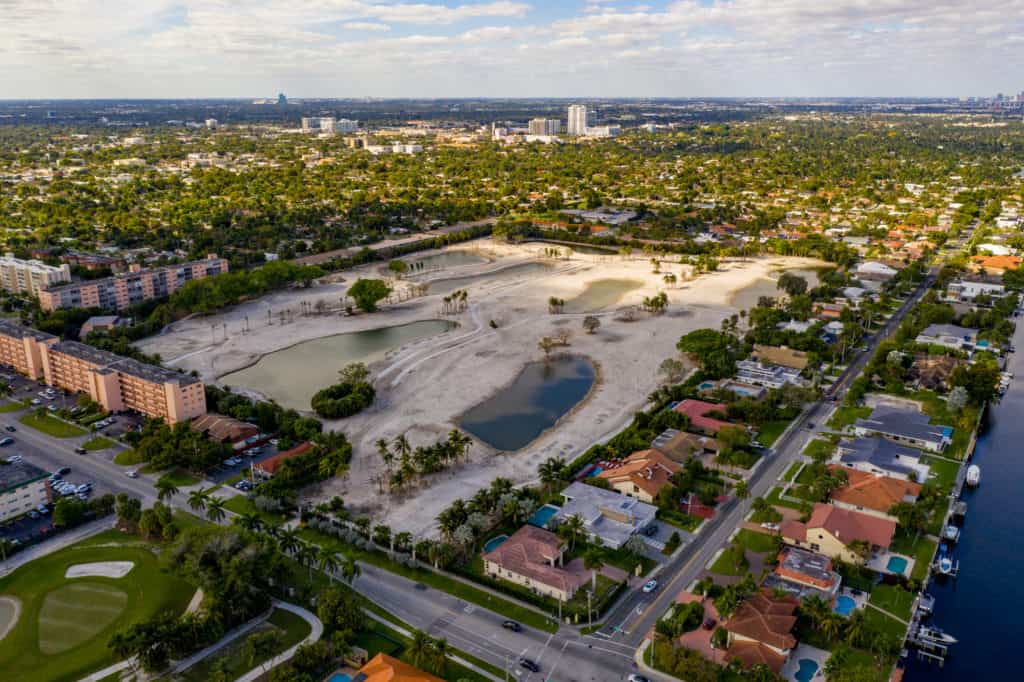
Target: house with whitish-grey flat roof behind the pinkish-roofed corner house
[607,516]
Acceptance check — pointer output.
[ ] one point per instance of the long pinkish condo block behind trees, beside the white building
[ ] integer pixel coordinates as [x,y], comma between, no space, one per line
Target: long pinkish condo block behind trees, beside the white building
[136,286]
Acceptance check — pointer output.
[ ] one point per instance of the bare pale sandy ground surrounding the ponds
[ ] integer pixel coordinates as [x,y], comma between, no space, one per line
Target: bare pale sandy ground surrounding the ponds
[425,387]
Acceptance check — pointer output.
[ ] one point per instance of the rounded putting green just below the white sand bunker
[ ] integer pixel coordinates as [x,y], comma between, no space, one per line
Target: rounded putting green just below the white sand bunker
[77,613]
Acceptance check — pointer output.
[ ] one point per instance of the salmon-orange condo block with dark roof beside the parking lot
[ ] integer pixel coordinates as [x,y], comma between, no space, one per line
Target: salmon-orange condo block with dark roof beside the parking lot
[115,382]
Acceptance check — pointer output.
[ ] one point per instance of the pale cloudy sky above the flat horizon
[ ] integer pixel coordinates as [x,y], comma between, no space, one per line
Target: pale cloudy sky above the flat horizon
[510,49]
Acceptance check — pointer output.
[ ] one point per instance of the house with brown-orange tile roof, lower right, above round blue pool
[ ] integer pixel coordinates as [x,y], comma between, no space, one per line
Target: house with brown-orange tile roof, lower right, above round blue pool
[761,631]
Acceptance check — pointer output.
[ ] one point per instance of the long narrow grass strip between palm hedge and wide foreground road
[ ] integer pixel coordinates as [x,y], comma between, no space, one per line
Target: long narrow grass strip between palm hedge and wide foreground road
[437,581]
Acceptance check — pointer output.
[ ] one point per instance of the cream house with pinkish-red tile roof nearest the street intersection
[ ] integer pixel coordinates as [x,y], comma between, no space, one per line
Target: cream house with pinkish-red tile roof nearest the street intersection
[533,558]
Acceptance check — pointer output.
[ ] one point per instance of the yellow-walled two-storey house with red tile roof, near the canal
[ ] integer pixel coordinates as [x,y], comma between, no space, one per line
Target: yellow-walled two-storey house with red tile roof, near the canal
[833,532]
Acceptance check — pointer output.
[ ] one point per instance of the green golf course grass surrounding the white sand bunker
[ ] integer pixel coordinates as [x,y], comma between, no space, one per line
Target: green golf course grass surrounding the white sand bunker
[81,615]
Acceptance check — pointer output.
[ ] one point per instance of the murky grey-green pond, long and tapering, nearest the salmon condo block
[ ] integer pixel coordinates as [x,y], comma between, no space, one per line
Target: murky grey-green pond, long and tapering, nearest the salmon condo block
[291,376]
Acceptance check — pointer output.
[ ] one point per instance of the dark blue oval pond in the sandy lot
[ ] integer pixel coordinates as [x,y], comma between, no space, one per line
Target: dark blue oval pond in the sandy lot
[542,394]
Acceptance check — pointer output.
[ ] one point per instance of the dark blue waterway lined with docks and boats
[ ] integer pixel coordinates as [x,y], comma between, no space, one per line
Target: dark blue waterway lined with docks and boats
[985,607]
